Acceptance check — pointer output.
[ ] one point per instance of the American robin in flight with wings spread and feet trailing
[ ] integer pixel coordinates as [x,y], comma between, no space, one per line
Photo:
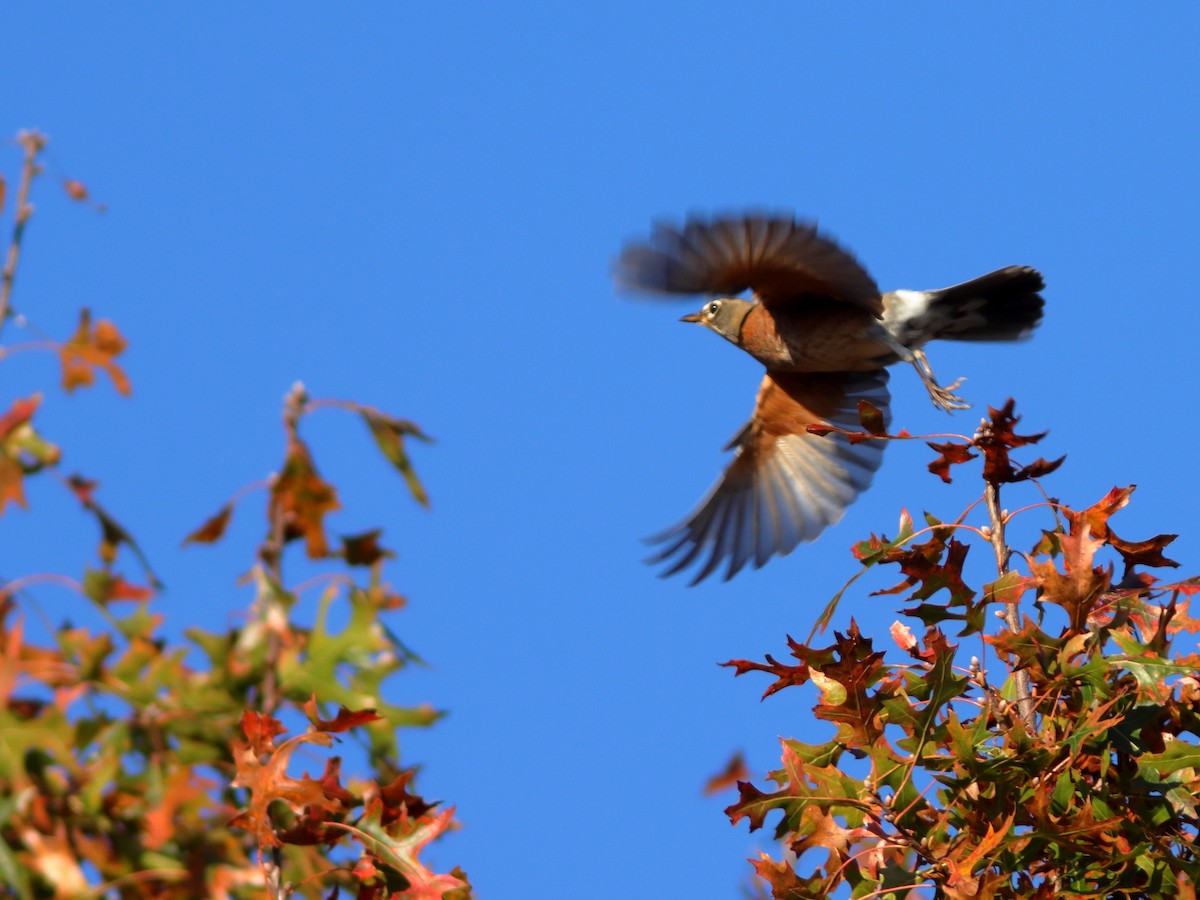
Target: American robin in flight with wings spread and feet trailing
[820,326]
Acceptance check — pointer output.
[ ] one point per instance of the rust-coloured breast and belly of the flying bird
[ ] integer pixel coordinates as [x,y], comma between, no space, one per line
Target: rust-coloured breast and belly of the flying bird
[819,337]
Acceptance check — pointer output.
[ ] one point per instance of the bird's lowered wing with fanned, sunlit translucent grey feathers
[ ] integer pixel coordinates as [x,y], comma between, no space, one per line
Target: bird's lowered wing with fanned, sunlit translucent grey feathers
[784,485]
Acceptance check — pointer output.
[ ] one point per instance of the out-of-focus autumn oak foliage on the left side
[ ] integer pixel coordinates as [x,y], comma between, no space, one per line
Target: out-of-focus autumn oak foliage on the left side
[136,767]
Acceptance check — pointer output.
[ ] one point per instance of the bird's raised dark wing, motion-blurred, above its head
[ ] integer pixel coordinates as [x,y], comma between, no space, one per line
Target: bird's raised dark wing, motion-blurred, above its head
[781,260]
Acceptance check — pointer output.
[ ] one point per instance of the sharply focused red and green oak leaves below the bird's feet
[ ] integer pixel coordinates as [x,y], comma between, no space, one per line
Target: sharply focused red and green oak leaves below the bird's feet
[1077,776]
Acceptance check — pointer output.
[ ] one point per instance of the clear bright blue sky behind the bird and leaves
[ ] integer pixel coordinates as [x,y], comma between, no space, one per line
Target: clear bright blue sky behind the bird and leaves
[417,206]
